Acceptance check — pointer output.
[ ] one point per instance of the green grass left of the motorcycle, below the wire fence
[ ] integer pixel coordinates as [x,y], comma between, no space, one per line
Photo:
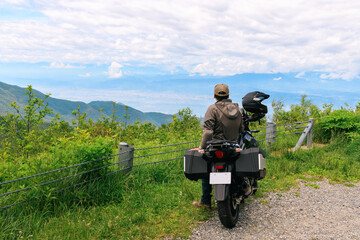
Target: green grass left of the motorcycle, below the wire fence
[152,202]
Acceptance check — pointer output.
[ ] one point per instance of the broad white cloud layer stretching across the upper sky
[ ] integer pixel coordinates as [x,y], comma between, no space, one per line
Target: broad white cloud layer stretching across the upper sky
[218,37]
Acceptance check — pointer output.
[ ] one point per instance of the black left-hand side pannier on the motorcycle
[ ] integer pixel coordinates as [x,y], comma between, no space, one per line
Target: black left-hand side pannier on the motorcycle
[195,167]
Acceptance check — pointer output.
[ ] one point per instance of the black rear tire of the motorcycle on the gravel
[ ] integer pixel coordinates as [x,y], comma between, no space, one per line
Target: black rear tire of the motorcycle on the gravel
[228,211]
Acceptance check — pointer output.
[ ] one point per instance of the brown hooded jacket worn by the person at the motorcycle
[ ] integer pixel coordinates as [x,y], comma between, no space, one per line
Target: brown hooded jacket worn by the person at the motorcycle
[223,121]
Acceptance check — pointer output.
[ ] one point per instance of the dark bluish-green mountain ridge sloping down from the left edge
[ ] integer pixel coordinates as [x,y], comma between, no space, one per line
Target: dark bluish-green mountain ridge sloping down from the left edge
[12,93]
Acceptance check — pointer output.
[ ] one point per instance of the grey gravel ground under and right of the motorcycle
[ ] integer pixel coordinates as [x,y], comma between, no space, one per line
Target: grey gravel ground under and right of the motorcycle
[329,212]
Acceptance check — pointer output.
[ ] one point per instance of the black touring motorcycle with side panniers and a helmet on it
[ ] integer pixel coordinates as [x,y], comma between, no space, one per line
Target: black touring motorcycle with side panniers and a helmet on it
[233,168]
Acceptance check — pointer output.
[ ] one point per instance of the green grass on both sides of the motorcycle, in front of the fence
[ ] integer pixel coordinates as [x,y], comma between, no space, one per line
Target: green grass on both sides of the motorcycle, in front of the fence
[155,201]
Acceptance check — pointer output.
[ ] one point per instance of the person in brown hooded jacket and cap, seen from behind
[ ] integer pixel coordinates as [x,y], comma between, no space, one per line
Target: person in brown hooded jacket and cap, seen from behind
[222,121]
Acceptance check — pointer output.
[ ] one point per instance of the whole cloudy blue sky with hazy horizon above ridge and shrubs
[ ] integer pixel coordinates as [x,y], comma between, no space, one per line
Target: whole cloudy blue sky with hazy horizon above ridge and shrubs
[162,56]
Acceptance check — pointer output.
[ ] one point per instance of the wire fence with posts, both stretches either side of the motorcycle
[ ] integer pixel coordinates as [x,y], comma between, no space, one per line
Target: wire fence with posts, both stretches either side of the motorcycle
[35,187]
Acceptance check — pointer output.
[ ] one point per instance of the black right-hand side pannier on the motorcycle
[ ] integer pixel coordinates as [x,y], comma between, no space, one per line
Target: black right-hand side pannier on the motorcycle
[251,163]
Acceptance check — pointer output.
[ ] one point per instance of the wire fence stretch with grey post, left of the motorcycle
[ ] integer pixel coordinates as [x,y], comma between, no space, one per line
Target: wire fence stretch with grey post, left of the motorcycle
[13,192]
